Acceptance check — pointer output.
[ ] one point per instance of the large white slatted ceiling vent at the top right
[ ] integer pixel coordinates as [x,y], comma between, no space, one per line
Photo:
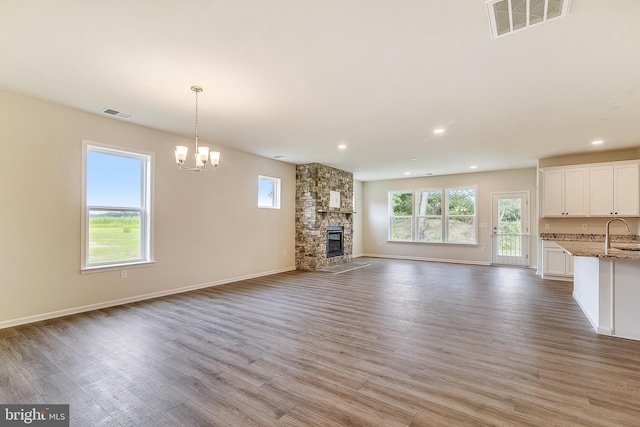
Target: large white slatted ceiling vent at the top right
[507,16]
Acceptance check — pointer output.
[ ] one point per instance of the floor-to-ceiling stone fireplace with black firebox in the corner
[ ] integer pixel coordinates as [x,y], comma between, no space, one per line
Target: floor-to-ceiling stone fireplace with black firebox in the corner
[324,216]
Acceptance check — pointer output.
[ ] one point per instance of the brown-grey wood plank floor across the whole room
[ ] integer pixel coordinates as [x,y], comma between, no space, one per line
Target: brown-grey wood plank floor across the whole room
[397,343]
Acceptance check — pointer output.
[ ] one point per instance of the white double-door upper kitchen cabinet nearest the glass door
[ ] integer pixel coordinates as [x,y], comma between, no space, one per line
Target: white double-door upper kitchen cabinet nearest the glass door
[565,192]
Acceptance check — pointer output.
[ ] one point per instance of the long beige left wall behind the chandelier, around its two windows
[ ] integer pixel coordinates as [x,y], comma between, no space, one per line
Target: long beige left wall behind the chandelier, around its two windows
[207,228]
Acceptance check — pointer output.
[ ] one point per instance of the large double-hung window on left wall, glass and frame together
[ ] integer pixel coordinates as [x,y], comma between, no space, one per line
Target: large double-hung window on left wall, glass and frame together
[117,201]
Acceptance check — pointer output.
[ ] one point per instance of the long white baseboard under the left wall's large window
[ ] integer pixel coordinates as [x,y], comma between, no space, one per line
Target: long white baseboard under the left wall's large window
[75,310]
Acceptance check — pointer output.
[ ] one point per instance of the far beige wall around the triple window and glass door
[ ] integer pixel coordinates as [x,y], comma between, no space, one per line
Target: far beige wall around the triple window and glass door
[376,215]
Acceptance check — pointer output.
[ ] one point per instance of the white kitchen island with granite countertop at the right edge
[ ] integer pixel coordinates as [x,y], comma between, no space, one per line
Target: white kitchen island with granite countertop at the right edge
[606,285]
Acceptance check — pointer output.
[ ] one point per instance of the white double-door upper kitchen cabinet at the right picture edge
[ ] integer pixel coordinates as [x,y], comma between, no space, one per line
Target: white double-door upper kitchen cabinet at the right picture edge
[614,190]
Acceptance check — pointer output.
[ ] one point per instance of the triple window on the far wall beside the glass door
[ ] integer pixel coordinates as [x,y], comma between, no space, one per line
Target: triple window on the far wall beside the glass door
[439,215]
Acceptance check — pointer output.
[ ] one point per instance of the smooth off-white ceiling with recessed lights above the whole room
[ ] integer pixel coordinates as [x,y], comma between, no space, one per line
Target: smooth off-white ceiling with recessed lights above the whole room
[299,77]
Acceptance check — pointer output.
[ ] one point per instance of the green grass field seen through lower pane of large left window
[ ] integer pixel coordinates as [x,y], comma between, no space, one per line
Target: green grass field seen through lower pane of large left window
[113,238]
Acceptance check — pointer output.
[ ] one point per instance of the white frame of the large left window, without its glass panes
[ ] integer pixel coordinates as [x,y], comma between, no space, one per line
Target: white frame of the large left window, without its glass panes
[146,238]
